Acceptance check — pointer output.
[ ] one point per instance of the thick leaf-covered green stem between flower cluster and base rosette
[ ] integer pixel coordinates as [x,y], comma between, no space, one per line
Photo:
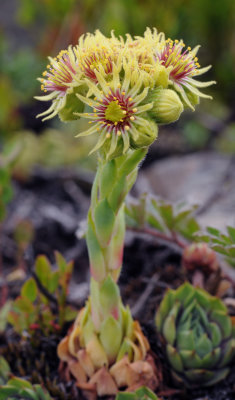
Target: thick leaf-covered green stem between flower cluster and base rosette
[106,225]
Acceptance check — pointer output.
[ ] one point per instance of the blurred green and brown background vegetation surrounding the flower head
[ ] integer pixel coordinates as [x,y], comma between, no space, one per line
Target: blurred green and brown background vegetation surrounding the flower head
[30,30]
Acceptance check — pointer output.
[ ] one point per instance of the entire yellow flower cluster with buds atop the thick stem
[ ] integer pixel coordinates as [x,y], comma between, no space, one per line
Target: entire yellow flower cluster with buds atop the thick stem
[127,86]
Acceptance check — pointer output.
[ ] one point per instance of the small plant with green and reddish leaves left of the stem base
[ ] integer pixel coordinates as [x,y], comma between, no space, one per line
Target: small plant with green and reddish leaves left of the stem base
[42,301]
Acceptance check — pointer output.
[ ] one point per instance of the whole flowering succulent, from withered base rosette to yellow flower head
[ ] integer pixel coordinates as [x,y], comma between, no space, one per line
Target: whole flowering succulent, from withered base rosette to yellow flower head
[125,88]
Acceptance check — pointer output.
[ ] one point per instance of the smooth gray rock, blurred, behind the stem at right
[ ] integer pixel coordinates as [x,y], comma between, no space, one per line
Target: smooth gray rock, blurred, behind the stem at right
[205,179]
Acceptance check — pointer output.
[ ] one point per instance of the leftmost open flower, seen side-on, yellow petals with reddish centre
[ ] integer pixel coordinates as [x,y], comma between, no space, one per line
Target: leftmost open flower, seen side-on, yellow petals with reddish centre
[60,79]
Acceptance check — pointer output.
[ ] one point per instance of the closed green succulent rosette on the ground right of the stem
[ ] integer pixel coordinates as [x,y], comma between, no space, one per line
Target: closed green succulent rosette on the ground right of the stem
[198,334]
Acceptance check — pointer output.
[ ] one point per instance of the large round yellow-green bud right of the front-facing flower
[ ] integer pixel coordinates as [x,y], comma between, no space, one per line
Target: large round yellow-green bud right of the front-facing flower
[167,106]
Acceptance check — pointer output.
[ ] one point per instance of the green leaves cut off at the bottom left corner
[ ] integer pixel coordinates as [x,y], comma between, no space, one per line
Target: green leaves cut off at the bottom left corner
[17,388]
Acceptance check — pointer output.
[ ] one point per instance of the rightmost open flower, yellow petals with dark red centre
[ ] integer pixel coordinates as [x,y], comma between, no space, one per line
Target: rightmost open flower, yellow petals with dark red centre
[183,68]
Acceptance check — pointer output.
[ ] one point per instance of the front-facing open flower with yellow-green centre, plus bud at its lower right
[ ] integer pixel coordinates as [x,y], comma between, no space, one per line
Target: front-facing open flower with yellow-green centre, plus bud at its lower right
[119,113]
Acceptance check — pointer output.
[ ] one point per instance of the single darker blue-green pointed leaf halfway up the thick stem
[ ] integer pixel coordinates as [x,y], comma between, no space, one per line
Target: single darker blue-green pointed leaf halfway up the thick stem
[104,222]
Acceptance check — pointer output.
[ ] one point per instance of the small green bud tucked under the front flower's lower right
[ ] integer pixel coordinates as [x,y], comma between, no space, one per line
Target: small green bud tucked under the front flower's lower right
[145,135]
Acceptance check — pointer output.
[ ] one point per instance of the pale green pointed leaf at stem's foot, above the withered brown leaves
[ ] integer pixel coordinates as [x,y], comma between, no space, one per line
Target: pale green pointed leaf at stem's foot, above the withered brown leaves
[111,337]
